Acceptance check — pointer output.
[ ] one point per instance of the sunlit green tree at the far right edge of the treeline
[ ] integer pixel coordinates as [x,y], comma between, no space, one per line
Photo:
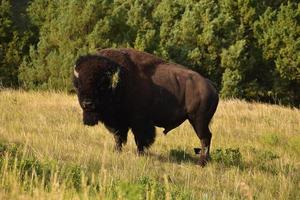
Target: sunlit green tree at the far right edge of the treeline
[278,34]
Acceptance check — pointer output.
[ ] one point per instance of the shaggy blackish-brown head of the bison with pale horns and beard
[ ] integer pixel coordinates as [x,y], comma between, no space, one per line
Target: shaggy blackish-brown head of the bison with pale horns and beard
[95,79]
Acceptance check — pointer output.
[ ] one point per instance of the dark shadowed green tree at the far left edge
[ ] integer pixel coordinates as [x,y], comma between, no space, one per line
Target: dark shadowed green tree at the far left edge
[15,36]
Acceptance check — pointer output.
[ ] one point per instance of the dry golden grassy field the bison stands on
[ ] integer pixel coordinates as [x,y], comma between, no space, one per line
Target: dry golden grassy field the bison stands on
[47,153]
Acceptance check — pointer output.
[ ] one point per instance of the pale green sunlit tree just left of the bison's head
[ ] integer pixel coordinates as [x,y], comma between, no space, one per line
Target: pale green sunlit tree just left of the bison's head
[63,36]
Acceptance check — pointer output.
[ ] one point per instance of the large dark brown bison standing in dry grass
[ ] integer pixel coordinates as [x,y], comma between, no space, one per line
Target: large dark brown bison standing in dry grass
[126,88]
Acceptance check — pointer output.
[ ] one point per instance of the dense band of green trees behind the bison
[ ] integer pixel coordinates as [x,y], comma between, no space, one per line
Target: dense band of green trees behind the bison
[249,48]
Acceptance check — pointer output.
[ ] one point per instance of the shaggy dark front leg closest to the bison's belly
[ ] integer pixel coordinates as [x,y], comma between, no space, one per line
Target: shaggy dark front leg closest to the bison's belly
[144,135]
